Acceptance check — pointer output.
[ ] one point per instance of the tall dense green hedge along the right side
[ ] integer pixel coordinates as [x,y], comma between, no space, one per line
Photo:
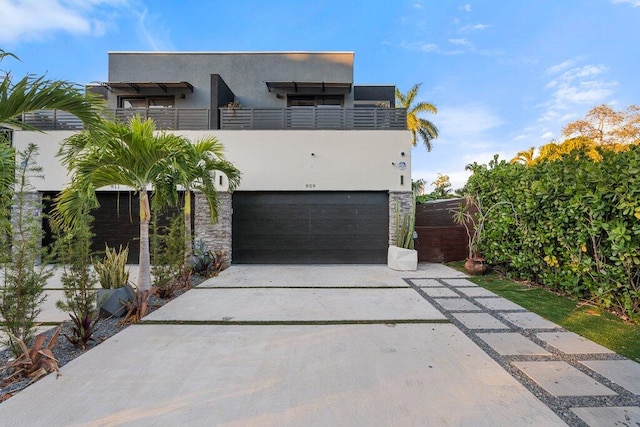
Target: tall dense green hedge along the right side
[572,224]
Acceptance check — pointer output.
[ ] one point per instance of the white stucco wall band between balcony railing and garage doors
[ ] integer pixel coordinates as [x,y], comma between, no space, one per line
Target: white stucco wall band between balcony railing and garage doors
[281,160]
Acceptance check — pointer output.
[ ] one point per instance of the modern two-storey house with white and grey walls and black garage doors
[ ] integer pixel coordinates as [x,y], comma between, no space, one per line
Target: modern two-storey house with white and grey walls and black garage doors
[324,162]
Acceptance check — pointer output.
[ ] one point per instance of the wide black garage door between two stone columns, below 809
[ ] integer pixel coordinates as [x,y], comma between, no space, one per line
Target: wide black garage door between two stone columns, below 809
[310,227]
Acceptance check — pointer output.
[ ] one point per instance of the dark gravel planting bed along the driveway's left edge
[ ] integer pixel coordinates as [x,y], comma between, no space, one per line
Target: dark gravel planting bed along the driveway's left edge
[65,352]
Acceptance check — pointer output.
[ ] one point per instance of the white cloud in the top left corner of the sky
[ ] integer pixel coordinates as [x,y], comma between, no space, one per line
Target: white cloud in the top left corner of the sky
[26,20]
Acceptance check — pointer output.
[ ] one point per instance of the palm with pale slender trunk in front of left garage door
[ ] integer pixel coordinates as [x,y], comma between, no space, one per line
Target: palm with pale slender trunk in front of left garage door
[131,155]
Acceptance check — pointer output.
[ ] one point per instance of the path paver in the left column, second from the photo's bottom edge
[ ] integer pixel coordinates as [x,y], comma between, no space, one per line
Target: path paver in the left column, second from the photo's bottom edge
[562,379]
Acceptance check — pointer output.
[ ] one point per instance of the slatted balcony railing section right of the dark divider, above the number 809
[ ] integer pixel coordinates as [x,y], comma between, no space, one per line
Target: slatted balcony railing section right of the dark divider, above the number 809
[314,118]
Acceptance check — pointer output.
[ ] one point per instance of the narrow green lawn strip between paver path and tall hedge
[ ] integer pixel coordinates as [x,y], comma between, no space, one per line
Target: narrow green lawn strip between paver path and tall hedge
[593,323]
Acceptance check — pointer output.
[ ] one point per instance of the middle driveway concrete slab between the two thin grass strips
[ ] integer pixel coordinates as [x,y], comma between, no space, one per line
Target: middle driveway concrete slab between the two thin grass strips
[276,304]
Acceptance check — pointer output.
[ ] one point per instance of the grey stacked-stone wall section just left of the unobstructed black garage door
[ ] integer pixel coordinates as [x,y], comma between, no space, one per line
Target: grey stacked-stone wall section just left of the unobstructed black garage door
[217,236]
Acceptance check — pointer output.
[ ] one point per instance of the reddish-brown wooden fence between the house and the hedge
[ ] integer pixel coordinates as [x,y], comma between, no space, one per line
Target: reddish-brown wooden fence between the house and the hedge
[440,239]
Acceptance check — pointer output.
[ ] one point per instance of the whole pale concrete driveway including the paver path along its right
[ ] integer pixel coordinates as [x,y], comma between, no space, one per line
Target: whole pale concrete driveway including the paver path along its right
[338,346]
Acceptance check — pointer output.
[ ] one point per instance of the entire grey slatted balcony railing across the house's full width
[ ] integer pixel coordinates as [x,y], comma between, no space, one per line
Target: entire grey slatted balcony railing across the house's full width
[244,118]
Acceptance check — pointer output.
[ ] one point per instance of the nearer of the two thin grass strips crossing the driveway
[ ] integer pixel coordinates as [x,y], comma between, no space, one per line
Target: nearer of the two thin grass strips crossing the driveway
[292,322]
